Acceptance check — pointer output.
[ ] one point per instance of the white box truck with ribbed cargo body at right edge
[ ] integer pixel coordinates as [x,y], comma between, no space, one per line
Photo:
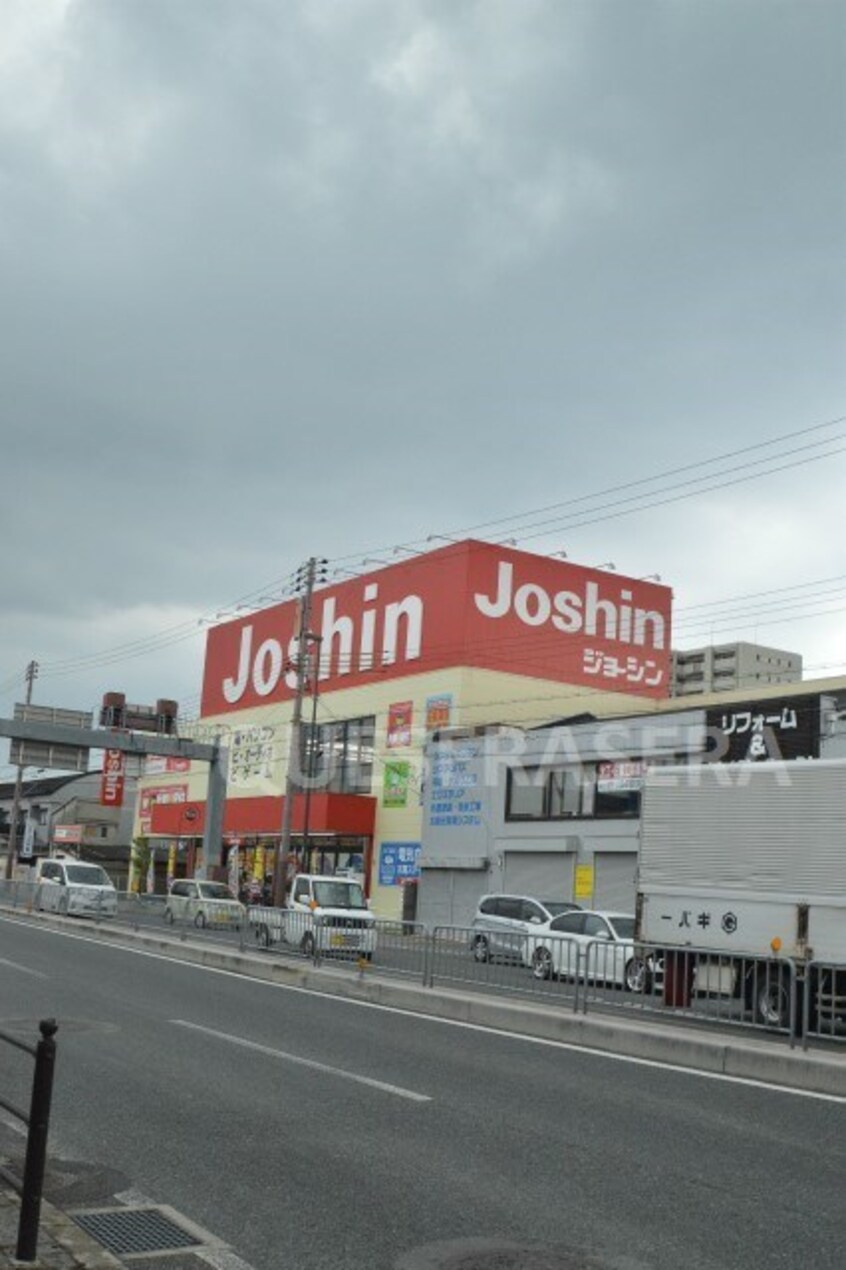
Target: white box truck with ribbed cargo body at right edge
[749,862]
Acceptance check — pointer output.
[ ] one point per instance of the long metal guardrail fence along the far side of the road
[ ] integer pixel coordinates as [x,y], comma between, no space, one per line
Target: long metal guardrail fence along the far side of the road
[803,1001]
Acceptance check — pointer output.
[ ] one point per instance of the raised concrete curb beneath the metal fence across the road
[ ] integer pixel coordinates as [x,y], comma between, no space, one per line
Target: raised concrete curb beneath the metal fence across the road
[652,1042]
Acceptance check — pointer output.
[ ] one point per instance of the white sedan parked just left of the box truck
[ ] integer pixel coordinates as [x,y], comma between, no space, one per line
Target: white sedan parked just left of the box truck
[594,946]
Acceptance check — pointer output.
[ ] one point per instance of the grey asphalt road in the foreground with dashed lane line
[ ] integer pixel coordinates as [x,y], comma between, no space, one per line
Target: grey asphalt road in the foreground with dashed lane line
[312,1133]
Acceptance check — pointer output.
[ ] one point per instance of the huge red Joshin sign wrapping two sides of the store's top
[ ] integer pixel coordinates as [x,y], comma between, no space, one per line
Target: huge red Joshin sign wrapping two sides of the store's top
[469,604]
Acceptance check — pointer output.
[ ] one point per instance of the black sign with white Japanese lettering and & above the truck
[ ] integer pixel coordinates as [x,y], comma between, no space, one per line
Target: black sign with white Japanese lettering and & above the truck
[769,728]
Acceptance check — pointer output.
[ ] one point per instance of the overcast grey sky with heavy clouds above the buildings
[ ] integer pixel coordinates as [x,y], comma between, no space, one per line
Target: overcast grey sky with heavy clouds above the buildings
[281,279]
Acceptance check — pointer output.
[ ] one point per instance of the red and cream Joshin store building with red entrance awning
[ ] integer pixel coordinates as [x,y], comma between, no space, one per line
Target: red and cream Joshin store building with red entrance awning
[467,636]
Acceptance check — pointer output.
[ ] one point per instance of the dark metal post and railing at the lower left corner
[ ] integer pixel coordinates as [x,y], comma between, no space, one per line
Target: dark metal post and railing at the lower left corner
[37,1122]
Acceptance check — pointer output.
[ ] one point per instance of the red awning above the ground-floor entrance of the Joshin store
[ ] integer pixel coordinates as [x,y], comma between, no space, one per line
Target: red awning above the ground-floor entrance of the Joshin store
[350,815]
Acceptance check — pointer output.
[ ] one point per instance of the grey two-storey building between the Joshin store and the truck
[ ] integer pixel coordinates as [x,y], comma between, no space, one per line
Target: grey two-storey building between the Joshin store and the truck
[554,812]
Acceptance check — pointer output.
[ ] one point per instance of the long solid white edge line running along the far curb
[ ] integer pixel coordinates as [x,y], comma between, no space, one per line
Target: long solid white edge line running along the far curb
[446,1023]
